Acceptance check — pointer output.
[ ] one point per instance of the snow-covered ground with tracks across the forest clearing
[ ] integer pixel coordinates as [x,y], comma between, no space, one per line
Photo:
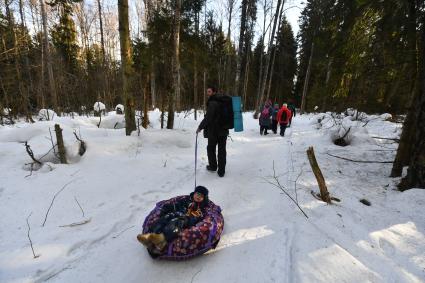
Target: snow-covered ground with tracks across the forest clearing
[266,237]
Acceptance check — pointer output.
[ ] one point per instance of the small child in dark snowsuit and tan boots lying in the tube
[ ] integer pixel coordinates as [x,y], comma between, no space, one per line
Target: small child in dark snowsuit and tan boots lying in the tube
[174,218]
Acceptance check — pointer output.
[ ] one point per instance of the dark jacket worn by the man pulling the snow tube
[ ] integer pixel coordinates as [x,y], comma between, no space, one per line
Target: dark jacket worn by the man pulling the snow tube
[210,123]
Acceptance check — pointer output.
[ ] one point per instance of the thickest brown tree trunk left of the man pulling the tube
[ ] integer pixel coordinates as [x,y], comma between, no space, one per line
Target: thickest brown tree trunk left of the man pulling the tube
[126,66]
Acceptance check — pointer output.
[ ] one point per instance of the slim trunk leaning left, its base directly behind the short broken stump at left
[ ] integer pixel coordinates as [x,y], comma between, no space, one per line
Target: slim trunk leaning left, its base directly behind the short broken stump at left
[48,59]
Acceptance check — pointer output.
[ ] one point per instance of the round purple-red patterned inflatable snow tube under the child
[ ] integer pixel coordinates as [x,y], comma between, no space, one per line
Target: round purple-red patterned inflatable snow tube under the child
[194,240]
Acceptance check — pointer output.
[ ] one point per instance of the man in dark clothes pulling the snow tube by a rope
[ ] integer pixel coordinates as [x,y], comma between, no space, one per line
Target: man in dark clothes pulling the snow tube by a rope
[215,133]
